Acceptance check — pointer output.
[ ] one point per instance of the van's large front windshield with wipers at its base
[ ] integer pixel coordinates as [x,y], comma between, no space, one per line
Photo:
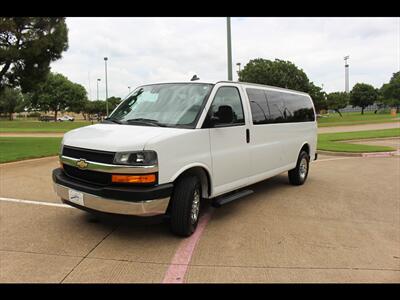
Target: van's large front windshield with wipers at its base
[166,105]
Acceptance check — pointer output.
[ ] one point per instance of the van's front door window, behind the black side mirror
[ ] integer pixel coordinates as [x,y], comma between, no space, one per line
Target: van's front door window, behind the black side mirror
[226,97]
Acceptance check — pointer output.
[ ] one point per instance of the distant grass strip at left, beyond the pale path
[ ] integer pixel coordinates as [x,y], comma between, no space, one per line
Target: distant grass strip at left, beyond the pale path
[37,126]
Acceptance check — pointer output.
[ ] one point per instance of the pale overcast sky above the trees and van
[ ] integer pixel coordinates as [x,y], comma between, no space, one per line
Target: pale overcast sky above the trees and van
[148,50]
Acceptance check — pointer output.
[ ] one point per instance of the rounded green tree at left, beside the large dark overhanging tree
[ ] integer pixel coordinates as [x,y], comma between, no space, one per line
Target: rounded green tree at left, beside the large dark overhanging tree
[57,93]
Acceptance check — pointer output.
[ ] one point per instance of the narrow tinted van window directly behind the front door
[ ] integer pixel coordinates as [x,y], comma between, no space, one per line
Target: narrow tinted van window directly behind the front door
[258,105]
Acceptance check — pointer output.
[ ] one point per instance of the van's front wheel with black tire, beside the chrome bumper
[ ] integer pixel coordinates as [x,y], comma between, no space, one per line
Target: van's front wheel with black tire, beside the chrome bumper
[185,206]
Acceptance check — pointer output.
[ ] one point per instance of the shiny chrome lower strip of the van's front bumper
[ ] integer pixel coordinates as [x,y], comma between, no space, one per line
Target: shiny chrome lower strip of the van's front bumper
[141,208]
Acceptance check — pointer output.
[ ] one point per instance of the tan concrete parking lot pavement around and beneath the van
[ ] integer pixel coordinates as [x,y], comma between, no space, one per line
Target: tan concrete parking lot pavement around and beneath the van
[343,225]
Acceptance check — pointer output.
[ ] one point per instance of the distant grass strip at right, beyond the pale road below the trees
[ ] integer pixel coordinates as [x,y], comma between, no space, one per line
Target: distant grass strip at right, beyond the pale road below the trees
[334,119]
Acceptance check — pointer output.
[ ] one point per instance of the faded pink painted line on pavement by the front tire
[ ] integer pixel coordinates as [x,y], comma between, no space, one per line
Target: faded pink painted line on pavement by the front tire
[180,262]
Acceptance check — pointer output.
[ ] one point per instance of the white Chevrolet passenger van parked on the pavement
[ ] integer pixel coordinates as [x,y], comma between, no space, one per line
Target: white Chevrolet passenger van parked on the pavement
[168,146]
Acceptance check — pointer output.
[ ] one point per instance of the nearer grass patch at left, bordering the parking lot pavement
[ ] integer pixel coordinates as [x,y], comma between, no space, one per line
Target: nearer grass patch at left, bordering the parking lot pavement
[19,148]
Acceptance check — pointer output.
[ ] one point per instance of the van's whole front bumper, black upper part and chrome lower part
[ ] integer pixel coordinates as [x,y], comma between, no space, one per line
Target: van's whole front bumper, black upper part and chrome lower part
[143,201]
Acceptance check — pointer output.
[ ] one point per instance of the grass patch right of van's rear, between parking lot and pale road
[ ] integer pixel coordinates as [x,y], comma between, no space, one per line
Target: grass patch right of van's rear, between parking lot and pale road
[330,141]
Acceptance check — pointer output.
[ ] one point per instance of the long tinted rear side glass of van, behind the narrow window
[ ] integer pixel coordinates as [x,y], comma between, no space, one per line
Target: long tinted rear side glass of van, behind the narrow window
[287,107]
